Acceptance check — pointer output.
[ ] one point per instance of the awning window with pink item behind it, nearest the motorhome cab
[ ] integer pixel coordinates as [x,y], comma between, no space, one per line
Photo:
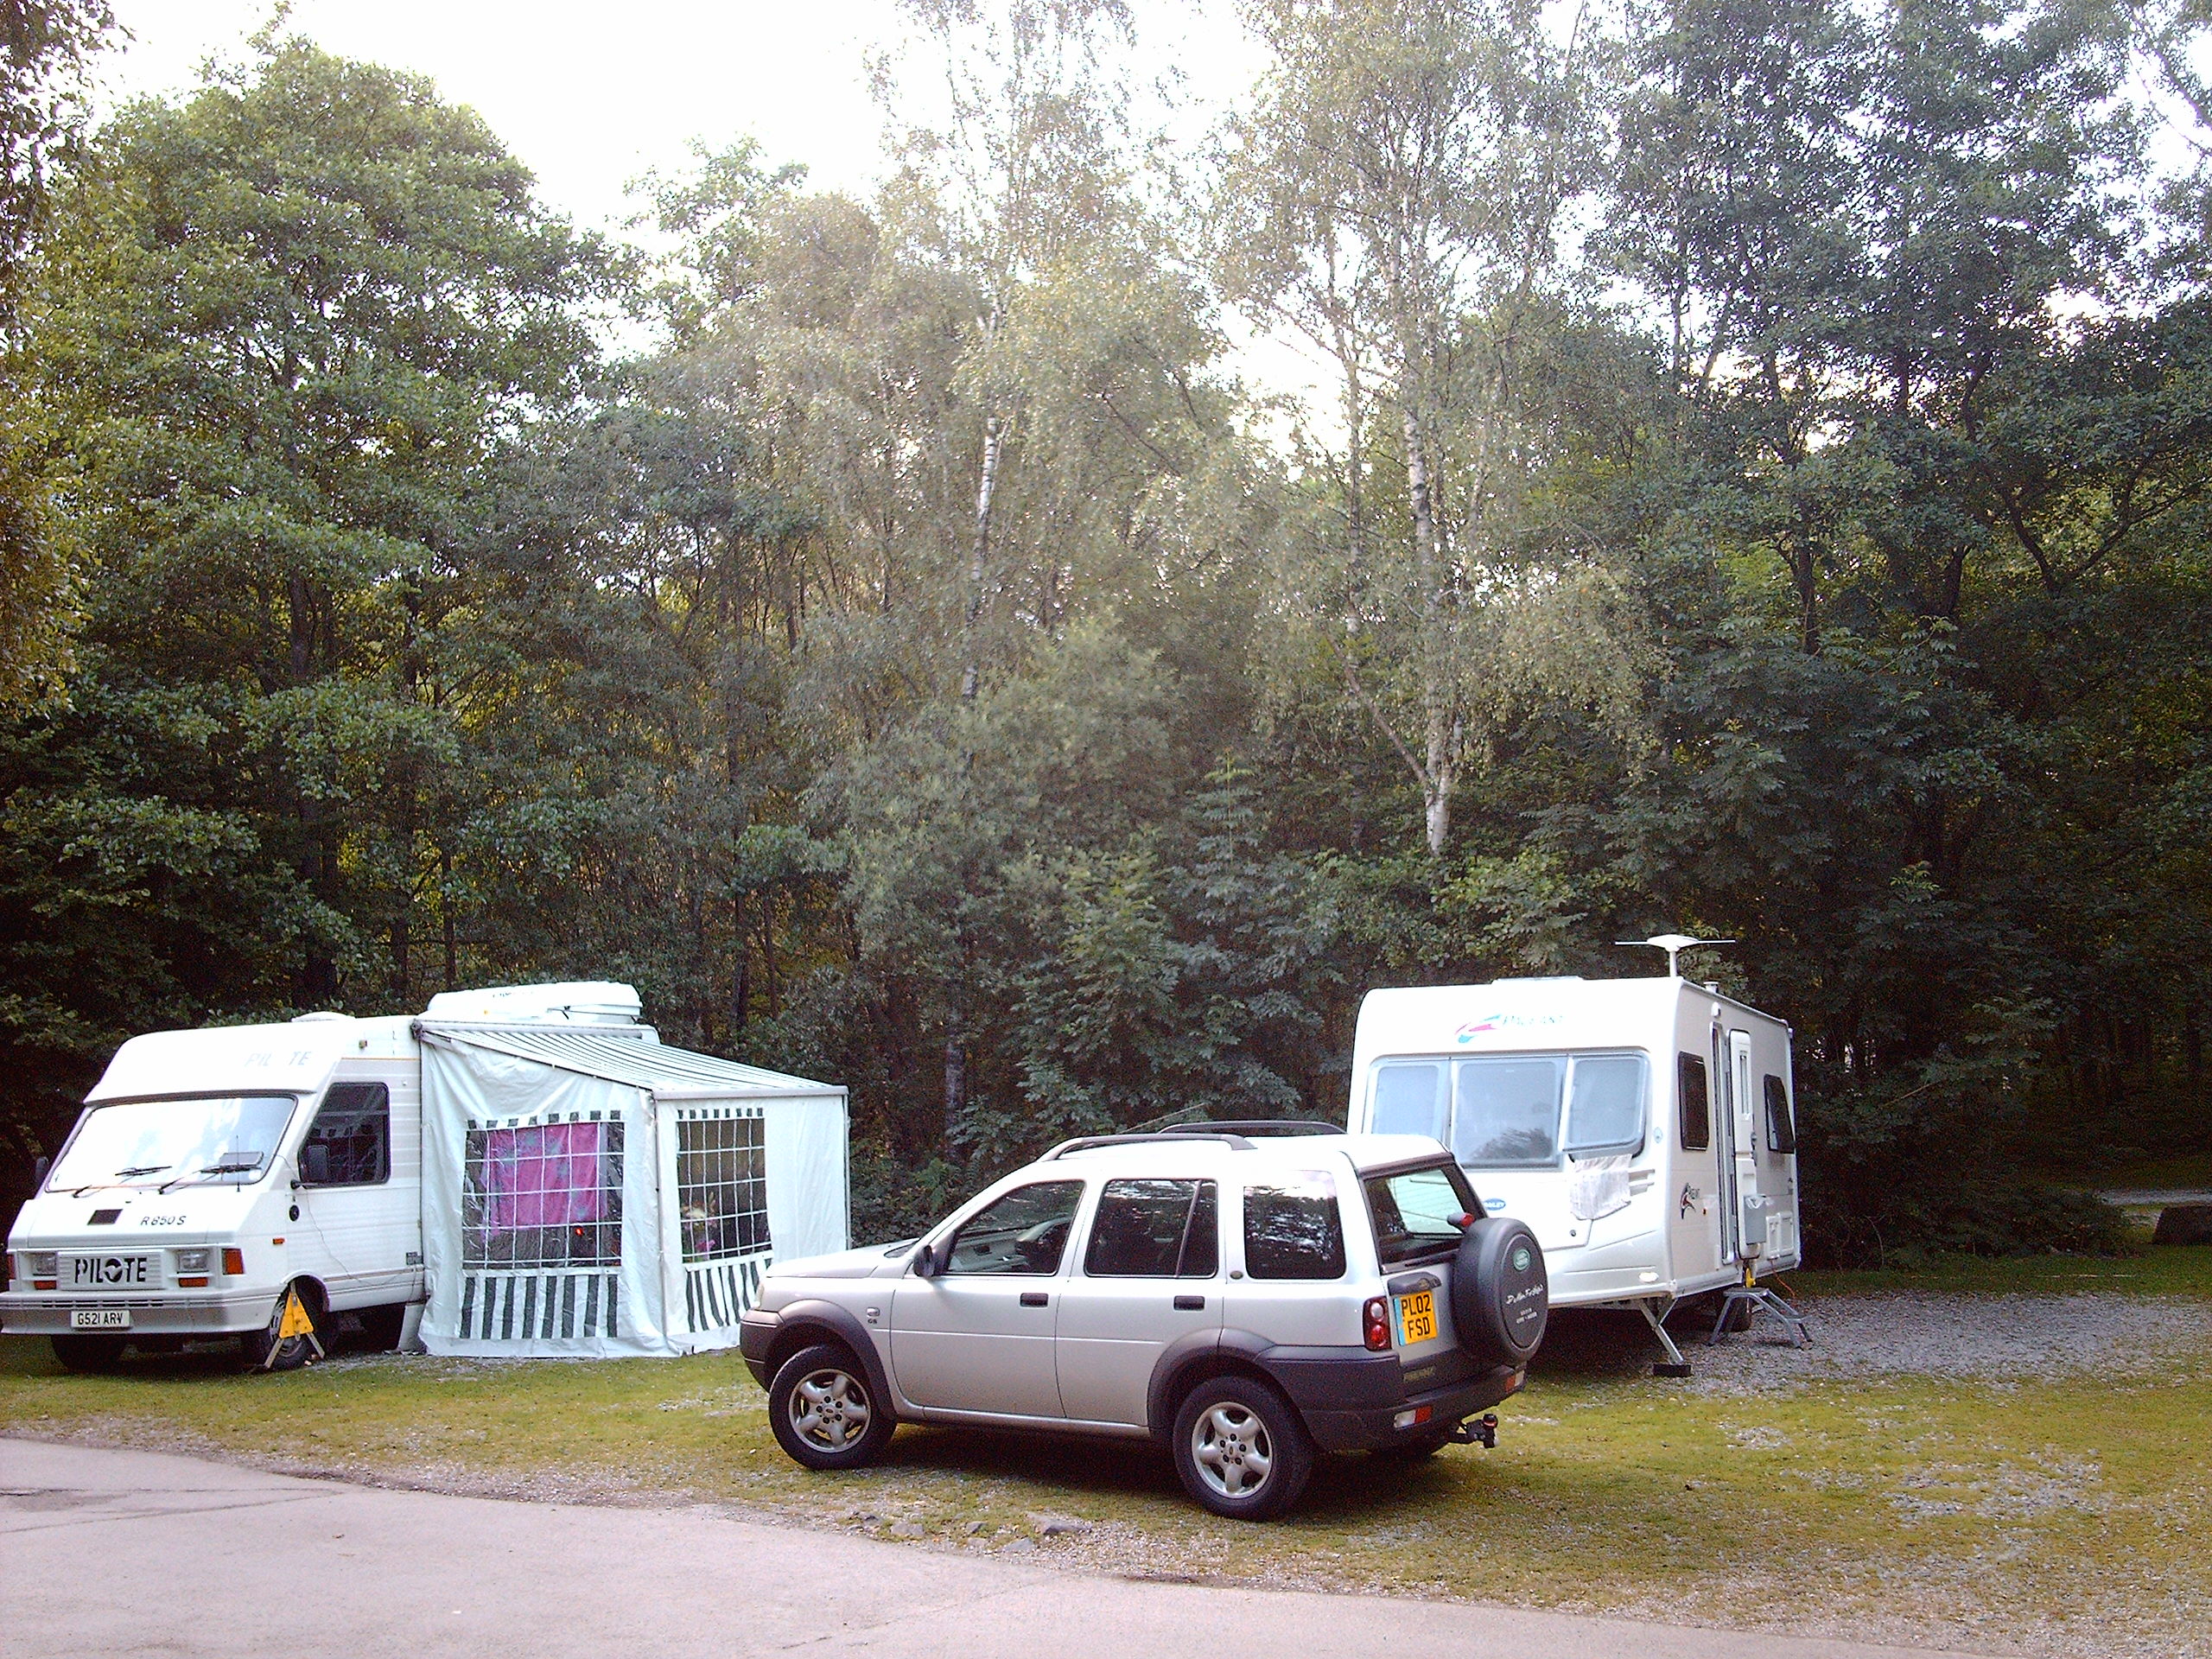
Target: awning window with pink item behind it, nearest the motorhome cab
[543,1193]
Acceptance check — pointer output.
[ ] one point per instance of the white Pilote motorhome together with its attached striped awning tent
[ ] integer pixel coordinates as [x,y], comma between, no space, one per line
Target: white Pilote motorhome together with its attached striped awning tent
[517,1171]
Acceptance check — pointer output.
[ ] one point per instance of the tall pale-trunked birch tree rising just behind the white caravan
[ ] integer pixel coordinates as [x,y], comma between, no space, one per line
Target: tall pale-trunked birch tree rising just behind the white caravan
[1399,196]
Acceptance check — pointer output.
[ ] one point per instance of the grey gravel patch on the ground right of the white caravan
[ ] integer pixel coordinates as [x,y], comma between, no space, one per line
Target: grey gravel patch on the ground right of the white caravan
[1985,1339]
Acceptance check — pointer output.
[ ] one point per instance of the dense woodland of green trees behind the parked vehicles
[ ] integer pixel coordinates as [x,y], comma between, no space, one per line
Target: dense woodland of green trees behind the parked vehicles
[1760,490]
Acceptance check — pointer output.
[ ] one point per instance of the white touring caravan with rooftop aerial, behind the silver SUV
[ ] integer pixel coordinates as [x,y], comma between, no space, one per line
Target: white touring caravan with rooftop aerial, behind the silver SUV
[1645,1129]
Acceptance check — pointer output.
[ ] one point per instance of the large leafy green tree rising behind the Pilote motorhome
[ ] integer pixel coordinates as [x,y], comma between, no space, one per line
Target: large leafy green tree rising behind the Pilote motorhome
[286,331]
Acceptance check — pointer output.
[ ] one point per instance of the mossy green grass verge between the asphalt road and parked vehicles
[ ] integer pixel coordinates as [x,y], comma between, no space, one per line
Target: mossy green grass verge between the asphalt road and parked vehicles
[2065,1516]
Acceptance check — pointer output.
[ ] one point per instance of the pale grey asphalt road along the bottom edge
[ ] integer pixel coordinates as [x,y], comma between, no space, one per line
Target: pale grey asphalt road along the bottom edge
[140,1554]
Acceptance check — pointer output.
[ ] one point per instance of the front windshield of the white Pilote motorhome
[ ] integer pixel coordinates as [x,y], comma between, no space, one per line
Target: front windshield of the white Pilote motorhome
[213,1140]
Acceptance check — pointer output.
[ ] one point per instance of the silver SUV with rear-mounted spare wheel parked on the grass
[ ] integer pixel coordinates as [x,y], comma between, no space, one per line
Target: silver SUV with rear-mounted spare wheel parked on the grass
[1242,1293]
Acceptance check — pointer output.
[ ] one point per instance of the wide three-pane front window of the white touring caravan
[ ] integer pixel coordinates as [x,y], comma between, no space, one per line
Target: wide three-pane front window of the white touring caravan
[1516,1112]
